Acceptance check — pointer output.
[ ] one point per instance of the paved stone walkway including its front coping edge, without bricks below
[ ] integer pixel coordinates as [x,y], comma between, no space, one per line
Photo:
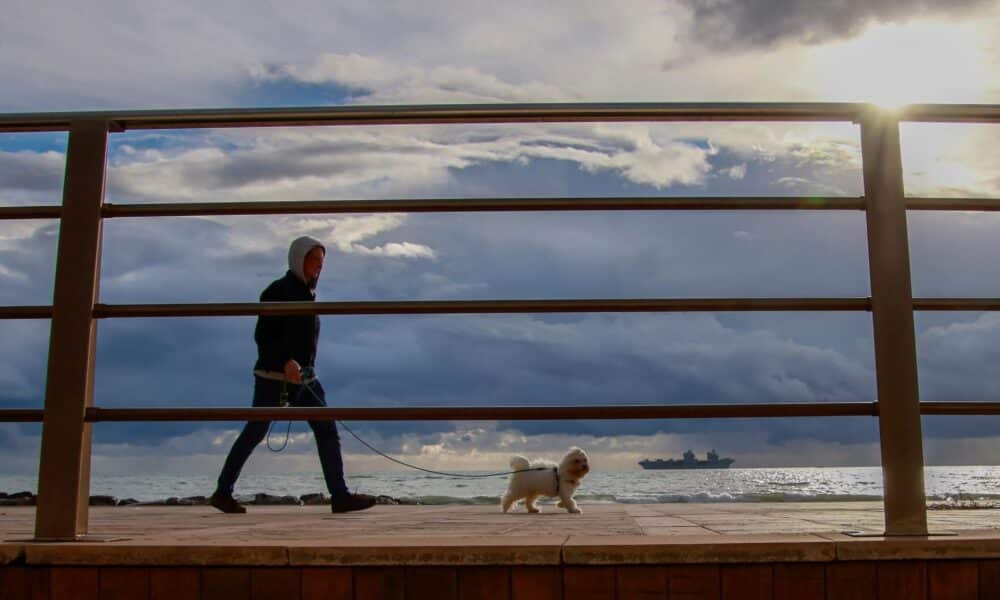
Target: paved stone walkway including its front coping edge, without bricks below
[605,533]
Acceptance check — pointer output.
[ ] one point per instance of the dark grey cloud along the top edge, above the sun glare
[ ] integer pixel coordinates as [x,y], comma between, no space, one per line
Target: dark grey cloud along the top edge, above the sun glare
[739,24]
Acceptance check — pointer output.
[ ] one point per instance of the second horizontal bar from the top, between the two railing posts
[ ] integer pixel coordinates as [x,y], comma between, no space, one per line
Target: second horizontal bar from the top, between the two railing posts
[480,205]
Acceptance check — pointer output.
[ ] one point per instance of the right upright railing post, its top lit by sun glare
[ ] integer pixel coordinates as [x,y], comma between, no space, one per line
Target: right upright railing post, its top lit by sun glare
[892,316]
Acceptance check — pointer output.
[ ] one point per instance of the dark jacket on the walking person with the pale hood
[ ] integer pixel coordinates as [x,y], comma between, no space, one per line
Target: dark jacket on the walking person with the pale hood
[280,338]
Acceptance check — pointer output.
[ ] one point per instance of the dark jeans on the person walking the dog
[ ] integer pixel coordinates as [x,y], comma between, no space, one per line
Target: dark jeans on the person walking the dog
[266,393]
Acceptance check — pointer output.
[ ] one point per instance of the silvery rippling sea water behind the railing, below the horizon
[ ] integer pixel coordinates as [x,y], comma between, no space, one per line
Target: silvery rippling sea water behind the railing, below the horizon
[979,483]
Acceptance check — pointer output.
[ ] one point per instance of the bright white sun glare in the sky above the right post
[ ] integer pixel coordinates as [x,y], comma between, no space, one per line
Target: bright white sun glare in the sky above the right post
[892,65]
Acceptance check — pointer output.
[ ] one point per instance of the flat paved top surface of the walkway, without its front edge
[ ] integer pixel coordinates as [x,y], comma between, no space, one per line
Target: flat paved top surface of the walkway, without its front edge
[316,524]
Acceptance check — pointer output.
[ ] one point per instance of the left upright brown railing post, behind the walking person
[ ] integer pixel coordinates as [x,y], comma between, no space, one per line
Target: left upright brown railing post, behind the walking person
[64,471]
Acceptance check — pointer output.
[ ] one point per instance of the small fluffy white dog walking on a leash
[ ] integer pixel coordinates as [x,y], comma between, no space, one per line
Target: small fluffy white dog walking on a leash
[549,479]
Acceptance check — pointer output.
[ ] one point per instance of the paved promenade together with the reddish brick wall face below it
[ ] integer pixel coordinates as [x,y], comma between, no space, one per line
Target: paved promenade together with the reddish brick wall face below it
[776,551]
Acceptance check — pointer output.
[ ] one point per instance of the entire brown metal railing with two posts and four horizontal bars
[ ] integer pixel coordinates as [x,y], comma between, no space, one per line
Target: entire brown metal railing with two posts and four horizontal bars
[64,472]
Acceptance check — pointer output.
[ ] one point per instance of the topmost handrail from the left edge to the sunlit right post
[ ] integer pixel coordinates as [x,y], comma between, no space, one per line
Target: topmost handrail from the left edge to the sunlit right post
[440,114]
